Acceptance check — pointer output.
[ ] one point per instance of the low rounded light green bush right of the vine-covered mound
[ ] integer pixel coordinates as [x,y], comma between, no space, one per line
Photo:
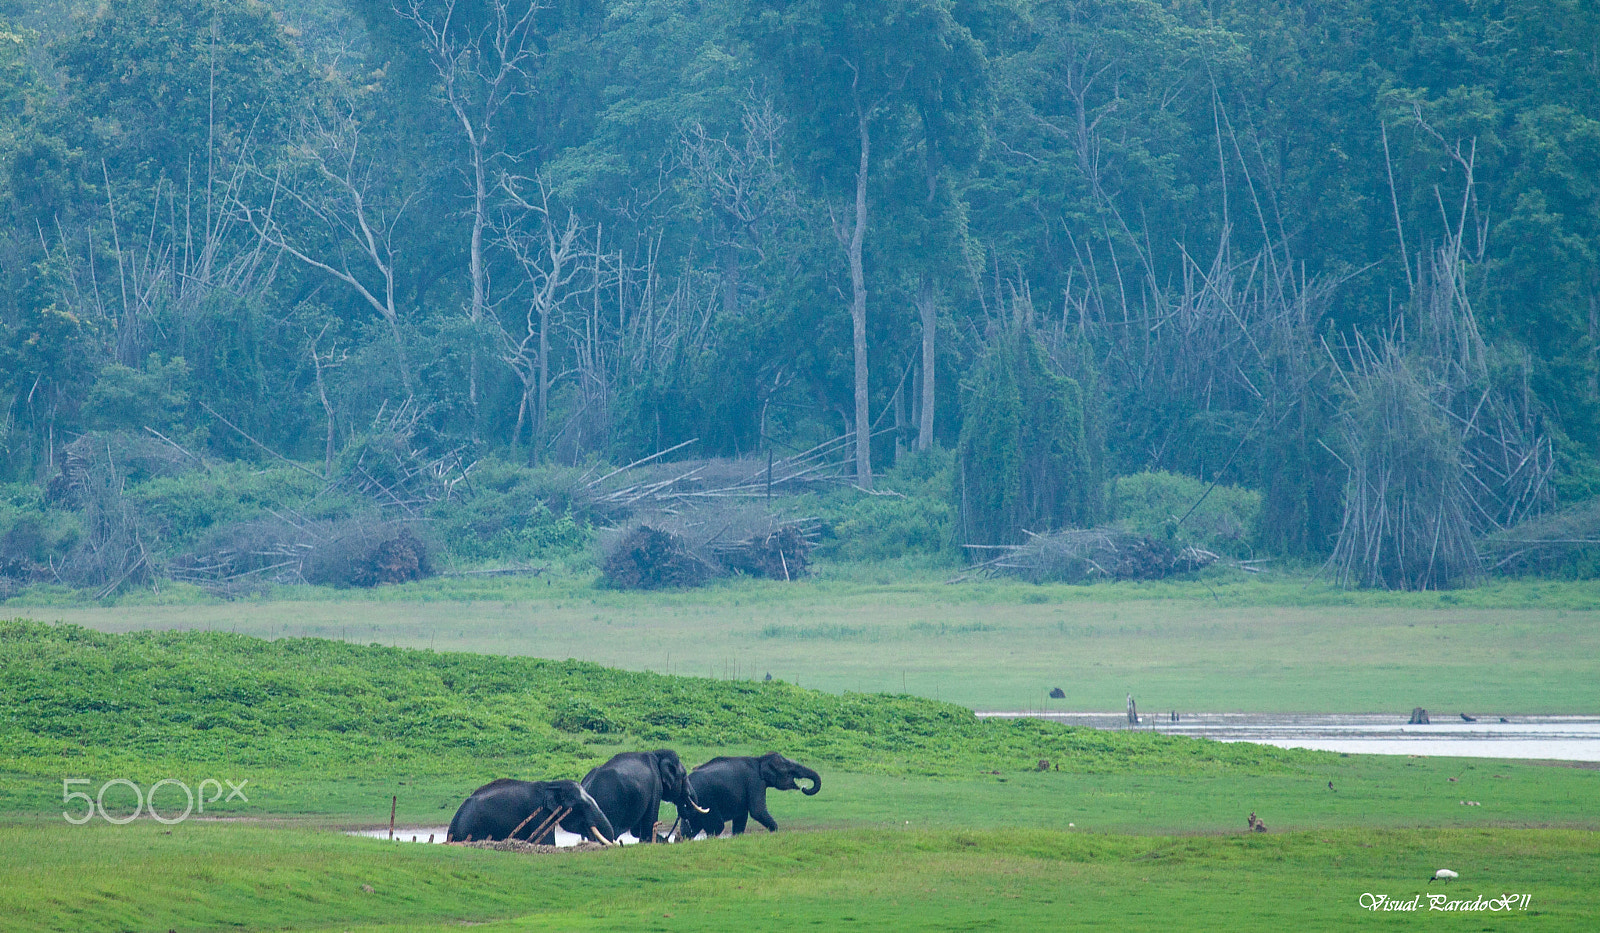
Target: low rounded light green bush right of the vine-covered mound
[1153,503]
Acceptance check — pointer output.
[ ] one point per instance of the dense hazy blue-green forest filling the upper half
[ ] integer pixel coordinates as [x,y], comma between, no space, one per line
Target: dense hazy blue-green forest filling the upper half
[1338,254]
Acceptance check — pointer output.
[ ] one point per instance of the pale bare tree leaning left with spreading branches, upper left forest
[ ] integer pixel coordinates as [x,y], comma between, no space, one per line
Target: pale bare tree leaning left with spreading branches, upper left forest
[327,212]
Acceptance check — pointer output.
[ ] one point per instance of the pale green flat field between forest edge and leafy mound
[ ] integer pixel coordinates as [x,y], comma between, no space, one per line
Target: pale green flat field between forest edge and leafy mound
[1279,646]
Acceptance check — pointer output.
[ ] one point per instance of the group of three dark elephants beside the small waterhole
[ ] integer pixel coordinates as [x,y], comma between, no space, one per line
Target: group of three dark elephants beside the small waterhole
[626,796]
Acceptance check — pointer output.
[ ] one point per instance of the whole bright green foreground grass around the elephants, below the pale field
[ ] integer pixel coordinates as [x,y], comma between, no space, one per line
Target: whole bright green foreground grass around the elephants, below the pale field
[930,819]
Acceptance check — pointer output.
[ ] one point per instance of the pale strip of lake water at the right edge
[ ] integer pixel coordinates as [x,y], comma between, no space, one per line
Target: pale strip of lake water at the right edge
[1562,739]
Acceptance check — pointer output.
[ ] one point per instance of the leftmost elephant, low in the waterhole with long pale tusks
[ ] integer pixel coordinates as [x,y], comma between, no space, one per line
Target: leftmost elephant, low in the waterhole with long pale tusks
[508,809]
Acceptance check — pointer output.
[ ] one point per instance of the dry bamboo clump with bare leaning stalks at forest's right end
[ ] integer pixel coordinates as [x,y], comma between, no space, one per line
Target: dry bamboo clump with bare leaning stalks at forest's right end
[1439,447]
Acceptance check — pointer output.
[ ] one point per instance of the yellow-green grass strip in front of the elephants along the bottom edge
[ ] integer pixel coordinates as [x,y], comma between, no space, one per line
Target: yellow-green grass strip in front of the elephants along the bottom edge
[215,876]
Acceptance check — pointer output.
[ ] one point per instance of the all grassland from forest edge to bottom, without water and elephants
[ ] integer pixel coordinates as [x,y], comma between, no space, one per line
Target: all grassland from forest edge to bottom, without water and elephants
[929,820]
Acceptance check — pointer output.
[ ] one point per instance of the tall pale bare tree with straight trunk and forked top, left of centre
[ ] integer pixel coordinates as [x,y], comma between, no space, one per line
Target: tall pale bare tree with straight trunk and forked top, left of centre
[481,71]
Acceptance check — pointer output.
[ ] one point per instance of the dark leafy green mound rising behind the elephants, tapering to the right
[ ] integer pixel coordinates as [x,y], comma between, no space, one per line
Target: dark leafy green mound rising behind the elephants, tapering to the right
[196,699]
